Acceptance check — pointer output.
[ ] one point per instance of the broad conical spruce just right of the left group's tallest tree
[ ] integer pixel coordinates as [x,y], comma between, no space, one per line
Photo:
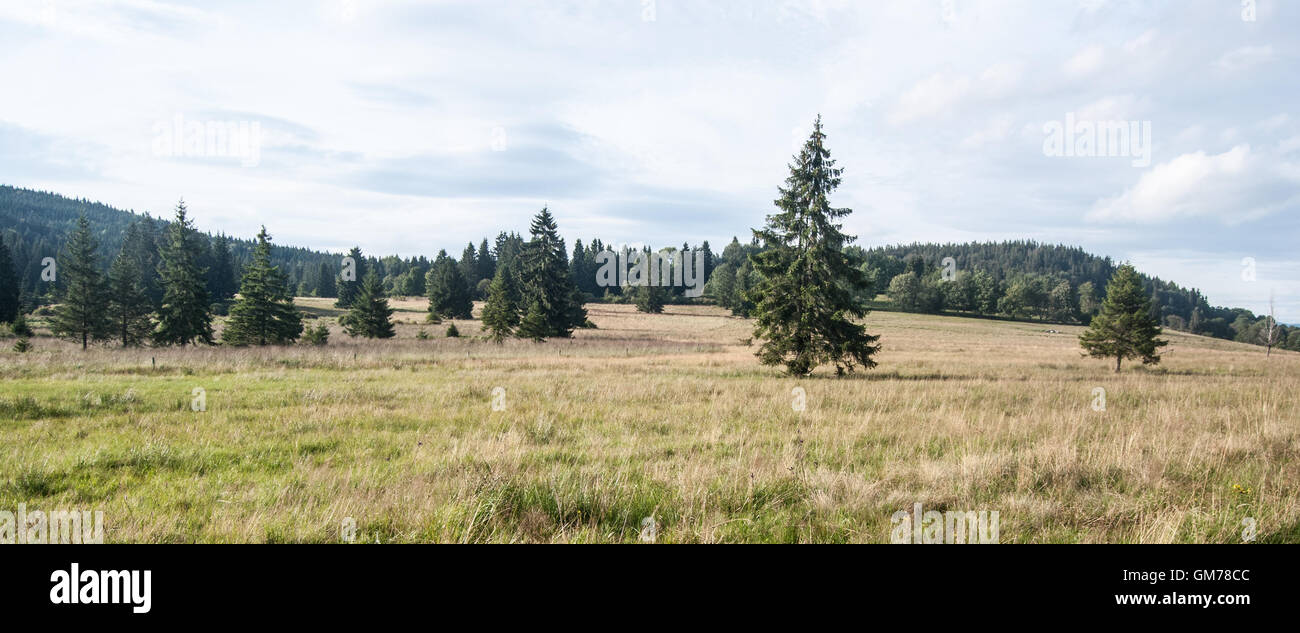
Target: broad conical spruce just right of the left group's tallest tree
[265,313]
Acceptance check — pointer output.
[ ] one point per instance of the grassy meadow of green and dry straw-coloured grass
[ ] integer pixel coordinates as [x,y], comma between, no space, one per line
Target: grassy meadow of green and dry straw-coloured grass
[666,417]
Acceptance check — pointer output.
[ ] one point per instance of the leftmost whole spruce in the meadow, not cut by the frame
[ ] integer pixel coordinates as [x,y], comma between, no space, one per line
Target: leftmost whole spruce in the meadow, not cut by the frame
[84,313]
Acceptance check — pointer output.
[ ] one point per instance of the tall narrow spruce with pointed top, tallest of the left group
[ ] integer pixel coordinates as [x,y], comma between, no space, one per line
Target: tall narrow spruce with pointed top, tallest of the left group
[187,315]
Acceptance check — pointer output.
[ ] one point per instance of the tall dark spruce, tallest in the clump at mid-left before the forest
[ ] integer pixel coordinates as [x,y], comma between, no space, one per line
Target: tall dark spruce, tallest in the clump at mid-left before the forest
[545,280]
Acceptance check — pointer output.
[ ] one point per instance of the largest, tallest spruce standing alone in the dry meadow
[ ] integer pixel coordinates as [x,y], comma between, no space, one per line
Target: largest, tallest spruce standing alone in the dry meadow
[805,302]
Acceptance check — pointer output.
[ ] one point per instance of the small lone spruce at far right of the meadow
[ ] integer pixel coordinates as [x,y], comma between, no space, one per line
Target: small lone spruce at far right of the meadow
[1125,328]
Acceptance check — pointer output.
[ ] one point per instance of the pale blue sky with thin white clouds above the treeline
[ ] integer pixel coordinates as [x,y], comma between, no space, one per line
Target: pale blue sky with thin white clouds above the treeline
[1167,135]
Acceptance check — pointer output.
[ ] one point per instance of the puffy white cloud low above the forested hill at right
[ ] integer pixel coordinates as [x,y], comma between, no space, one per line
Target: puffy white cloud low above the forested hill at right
[1236,187]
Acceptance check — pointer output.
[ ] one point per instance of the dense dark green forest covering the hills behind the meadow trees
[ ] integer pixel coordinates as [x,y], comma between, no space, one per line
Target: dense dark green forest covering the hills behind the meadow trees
[1011,280]
